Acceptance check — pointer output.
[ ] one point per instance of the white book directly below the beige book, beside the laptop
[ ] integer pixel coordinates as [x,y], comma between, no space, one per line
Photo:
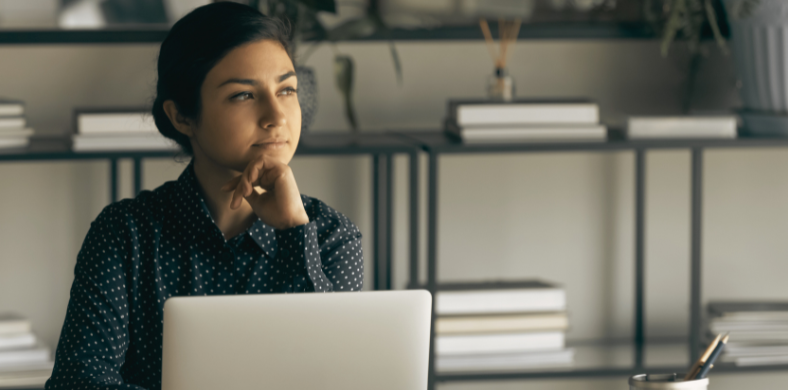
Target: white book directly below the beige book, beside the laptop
[498,343]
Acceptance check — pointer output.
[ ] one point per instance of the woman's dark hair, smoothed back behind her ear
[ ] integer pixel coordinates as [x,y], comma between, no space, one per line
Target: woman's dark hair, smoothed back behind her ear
[194,45]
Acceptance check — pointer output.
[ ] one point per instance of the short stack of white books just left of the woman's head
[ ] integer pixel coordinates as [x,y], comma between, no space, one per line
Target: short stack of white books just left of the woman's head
[97,130]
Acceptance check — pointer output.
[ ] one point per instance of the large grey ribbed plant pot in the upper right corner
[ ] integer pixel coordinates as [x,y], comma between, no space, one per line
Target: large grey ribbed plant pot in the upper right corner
[759,42]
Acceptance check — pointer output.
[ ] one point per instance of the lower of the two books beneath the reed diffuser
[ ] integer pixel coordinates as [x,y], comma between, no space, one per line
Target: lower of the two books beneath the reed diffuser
[528,133]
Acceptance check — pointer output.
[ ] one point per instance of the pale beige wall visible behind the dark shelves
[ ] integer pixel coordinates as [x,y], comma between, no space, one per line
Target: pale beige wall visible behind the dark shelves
[565,217]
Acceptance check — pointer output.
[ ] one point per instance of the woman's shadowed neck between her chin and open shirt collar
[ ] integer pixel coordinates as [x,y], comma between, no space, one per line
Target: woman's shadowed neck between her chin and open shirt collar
[211,178]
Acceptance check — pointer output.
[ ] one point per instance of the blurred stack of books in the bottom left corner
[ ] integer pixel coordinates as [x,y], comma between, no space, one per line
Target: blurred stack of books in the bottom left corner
[24,361]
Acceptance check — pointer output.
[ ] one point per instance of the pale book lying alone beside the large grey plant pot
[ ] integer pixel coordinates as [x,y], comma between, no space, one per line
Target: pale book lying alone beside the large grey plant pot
[681,127]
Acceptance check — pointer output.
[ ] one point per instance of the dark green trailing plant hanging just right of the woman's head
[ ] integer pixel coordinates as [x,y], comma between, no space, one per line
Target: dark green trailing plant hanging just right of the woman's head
[307,27]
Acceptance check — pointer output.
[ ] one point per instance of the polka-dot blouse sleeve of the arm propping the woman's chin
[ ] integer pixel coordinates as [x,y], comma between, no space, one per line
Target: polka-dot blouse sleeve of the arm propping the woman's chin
[327,253]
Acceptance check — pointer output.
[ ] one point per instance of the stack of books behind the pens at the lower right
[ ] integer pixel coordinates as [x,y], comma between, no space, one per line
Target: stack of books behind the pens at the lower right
[758,331]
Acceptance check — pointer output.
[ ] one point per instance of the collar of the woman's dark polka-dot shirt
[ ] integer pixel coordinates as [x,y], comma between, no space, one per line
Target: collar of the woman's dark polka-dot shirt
[192,214]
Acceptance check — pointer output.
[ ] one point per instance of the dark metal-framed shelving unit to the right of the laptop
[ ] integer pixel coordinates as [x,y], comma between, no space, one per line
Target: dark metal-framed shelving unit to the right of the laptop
[436,143]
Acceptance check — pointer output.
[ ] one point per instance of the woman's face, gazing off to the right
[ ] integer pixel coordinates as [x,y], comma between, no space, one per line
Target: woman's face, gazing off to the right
[249,107]
